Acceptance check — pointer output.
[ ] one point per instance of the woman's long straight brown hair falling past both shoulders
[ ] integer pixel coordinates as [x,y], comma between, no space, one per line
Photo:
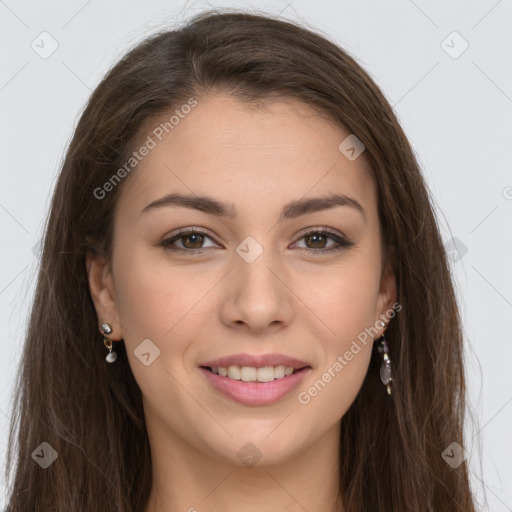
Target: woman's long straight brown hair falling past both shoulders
[91,413]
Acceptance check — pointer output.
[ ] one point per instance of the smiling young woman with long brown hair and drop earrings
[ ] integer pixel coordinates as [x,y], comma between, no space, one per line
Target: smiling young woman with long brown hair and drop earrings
[241,229]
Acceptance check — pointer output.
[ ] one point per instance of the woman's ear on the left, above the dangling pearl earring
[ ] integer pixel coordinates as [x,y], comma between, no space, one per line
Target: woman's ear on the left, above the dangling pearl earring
[101,288]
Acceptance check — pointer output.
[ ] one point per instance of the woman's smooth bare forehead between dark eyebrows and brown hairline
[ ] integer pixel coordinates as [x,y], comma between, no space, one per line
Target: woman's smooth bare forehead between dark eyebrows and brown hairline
[283,150]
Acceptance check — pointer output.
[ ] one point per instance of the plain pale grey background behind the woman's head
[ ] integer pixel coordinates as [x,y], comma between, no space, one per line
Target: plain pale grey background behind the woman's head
[455,107]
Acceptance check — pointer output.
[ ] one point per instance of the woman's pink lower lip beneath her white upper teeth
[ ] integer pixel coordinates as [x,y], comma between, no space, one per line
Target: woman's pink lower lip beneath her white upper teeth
[255,393]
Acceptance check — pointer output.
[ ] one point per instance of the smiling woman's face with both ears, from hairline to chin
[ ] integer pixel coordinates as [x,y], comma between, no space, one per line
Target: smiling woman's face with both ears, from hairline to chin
[188,286]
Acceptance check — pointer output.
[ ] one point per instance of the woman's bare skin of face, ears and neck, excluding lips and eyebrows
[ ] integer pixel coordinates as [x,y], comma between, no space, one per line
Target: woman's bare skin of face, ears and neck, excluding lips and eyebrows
[196,307]
